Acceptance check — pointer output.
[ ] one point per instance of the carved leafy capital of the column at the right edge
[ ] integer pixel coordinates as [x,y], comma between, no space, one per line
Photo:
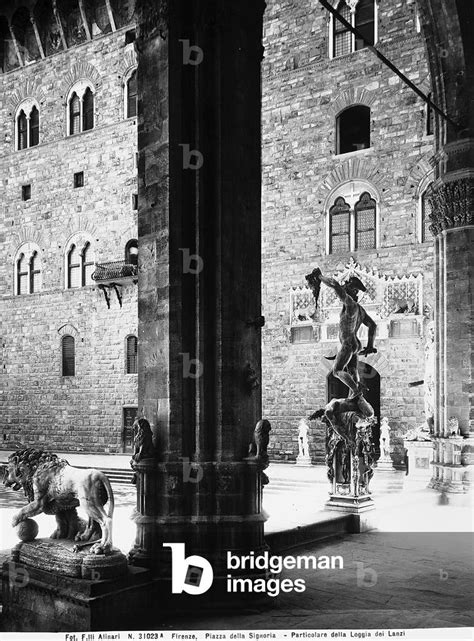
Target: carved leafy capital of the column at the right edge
[452,205]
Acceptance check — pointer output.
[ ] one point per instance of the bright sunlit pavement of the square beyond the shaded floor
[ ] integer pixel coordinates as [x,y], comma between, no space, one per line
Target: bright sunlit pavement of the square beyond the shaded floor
[294,497]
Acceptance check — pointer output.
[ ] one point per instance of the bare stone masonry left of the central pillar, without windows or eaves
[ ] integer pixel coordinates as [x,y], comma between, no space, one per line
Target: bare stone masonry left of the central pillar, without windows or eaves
[37,404]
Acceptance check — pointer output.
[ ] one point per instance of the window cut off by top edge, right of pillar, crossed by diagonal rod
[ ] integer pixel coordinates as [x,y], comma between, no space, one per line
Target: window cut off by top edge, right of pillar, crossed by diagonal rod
[363,17]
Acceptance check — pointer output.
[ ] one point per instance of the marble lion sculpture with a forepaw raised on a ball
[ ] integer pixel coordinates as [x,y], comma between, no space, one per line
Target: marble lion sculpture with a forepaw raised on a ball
[52,486]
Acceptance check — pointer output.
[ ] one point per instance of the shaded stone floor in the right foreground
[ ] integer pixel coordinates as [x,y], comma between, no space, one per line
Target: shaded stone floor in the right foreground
[395,581]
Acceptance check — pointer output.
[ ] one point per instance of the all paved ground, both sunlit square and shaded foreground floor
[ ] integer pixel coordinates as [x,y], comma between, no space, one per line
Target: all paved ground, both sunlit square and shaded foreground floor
[414,570]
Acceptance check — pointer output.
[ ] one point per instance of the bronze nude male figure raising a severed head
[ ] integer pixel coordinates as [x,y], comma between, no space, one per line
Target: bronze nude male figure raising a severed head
[353,315]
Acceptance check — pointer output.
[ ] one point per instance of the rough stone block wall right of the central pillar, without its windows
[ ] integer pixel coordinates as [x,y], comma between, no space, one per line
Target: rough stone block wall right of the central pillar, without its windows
[303,91]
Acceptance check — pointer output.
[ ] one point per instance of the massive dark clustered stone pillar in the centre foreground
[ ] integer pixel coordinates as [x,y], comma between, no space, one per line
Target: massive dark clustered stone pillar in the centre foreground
[199,278]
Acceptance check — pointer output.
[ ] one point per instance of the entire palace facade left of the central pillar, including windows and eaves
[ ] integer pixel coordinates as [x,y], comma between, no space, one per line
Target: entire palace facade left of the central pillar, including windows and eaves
[68,225]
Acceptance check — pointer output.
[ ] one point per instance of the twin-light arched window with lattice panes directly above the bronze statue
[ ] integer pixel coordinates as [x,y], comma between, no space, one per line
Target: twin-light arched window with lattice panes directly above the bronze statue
[352,218]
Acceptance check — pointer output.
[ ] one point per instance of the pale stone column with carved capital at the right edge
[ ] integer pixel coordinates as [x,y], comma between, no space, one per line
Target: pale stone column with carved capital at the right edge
[452,205]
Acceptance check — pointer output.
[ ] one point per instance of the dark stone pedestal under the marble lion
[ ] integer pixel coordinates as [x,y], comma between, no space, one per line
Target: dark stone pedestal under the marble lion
[44,590]
